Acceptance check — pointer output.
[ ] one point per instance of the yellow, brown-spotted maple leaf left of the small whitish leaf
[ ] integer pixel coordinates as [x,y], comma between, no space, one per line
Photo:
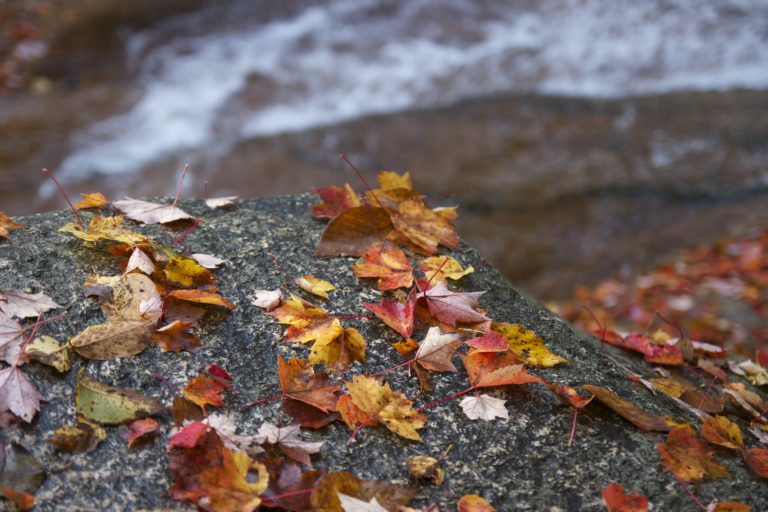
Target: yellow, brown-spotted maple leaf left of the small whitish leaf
[389,407]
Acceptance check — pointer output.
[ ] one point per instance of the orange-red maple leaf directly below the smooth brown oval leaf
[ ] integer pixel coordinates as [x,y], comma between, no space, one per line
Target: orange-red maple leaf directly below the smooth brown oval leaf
[385,261]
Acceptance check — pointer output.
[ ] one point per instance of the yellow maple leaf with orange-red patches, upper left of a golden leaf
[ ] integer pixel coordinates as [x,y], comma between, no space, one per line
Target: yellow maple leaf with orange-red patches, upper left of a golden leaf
[307,322]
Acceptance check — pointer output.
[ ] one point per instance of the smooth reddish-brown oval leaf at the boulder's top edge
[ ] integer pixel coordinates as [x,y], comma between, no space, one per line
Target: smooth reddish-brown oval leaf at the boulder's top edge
[354,230]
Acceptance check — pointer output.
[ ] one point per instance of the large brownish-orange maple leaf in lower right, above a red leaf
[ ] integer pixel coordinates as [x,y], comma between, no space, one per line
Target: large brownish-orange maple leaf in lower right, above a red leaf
[689,458]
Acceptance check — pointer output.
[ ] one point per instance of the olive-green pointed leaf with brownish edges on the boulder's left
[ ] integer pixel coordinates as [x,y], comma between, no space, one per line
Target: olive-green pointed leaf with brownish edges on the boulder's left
[110,405]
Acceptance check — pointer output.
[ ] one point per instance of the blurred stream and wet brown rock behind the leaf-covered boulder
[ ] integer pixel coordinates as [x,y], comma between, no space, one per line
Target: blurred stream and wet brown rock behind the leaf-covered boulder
[580,138]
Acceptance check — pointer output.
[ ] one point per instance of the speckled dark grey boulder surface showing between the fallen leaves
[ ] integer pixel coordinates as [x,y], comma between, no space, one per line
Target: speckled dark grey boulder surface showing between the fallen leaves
[522,463]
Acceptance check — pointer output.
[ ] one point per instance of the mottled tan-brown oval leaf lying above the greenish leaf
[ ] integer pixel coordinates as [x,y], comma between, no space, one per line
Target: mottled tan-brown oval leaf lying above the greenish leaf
[113,339]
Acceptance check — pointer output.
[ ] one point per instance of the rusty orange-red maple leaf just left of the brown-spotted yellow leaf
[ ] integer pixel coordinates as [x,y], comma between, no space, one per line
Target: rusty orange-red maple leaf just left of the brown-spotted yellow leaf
[299,381]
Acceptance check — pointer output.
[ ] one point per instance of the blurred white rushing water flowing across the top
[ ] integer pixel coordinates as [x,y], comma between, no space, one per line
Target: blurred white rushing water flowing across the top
[342,61]
